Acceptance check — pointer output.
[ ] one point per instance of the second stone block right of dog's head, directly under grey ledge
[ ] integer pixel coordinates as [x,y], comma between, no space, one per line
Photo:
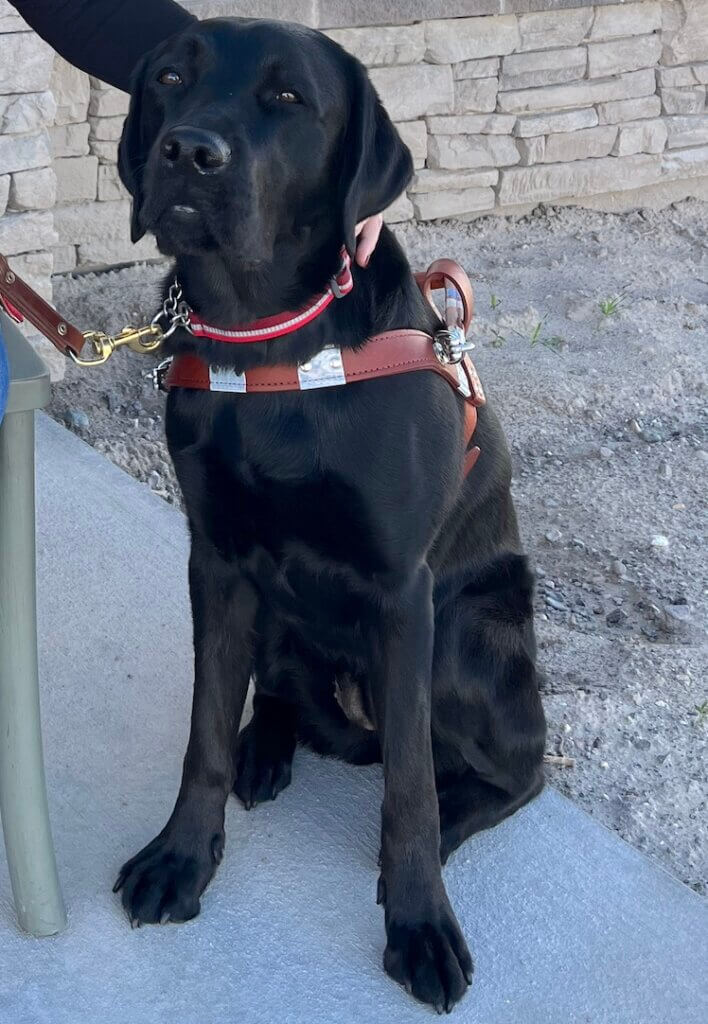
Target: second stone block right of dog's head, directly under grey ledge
[457,39]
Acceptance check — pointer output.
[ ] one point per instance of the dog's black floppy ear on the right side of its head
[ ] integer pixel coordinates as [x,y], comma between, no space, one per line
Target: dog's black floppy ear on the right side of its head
[377,165]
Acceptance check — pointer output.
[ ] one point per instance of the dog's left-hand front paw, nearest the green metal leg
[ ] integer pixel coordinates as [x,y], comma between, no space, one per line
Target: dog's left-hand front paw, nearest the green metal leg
[163,883]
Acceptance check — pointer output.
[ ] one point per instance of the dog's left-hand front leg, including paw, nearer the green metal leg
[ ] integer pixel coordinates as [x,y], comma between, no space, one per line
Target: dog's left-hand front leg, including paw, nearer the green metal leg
[165,881]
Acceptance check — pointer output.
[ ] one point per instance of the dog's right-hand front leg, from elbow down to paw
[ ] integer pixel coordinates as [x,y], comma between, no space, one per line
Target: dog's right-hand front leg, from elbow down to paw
[426,950]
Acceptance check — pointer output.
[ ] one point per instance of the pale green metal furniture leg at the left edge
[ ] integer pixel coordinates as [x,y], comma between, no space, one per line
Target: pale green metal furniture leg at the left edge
[23,791]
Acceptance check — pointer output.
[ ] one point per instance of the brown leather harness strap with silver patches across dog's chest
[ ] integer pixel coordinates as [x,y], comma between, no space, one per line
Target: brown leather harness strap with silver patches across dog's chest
[385,355]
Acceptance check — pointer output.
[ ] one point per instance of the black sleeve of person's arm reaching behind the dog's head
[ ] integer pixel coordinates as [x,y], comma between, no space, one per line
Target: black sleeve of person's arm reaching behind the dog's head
[106,38]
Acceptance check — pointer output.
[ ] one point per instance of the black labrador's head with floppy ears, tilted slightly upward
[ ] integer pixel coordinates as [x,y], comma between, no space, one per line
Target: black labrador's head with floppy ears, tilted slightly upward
[243,133]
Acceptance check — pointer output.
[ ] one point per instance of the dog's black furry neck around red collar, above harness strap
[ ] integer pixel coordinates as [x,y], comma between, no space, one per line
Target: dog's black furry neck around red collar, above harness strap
[385,296]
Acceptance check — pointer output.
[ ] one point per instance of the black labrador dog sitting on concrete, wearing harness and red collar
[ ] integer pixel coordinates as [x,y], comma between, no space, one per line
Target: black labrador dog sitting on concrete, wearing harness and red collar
[382,603]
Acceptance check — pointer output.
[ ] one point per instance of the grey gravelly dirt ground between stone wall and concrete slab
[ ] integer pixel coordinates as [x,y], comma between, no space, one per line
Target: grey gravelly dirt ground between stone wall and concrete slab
[592,333]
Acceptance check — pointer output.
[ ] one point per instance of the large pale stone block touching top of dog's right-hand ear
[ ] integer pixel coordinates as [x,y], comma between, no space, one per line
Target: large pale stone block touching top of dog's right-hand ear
[410,92]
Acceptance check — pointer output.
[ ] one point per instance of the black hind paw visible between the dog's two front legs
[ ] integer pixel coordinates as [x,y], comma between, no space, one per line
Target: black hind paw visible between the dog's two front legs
[265,751]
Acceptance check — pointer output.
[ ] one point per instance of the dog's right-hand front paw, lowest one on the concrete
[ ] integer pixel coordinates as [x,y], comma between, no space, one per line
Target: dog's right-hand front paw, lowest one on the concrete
[430,958]
